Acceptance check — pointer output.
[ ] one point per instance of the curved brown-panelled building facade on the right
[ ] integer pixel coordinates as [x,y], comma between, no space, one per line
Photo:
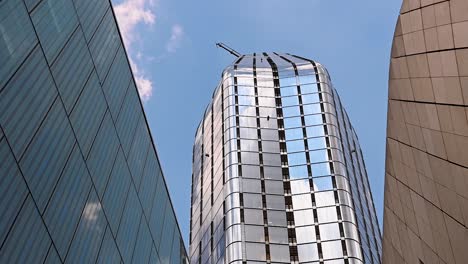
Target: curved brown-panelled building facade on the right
[426,176]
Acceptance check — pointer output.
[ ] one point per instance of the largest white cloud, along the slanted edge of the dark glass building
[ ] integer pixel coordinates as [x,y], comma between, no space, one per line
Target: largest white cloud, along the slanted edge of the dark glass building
[129,14]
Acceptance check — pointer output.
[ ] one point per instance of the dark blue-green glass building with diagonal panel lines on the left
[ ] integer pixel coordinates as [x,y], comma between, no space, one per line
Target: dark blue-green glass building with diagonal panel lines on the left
[80,180]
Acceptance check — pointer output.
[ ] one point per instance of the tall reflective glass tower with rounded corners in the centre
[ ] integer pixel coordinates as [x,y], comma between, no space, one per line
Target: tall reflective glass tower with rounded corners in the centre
[278,174]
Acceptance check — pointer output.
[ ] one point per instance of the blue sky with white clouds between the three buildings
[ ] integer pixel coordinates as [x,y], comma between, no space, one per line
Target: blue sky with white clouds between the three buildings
[177,66]
